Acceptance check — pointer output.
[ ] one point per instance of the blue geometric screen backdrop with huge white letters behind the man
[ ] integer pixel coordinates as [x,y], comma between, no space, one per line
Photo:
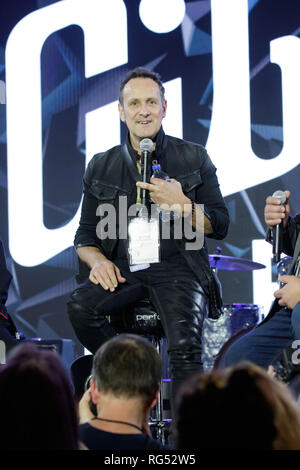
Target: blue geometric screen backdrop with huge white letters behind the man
[231,70]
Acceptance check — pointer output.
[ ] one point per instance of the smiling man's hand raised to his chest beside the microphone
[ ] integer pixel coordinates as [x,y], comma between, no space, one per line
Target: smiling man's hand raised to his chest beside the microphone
[166,193]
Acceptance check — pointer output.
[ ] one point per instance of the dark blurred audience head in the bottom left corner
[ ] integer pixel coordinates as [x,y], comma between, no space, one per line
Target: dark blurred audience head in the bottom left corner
[36,402]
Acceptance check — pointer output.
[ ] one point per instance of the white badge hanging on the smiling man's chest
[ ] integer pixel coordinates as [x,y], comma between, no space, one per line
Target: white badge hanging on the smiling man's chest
[144,243]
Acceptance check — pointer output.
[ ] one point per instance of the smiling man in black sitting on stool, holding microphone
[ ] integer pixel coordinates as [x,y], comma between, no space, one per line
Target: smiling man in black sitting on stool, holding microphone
[175,277]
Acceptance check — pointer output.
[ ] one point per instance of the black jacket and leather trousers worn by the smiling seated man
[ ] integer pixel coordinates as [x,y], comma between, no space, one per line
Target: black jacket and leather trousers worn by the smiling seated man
[182,286]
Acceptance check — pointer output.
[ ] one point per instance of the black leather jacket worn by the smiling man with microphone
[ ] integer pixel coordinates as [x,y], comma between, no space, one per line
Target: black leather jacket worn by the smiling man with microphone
[113,174]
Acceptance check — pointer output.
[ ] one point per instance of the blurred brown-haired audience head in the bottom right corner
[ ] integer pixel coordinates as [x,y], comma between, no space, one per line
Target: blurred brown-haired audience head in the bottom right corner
[240,408]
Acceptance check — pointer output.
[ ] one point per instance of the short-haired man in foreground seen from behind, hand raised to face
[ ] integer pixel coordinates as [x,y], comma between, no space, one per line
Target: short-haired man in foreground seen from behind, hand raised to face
[124,387]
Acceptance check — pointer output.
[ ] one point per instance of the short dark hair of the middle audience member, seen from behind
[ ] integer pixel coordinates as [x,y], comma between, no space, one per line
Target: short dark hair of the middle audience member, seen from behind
[127,366]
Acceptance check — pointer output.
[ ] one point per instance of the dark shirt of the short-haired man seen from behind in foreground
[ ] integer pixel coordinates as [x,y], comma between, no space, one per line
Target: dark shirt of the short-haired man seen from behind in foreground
[96,439]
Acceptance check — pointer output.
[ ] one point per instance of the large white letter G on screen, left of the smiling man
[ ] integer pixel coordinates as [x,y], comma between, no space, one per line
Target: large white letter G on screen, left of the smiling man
[105,38]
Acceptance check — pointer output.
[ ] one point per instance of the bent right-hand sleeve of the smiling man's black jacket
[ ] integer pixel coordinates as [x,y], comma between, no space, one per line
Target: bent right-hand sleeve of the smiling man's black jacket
[210,196]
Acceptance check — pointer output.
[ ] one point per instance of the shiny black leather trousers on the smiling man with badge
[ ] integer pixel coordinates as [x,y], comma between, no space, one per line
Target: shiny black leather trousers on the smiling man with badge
[176,296]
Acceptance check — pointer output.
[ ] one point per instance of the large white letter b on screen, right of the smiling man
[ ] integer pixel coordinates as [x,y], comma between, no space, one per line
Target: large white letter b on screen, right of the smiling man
[229,141]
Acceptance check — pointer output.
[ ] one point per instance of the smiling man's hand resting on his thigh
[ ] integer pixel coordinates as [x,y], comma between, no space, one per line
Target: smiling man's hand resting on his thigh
[107,274]
